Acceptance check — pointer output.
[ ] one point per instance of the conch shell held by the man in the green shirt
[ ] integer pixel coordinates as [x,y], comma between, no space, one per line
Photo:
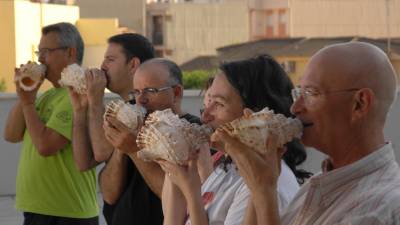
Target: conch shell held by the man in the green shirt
[31,75]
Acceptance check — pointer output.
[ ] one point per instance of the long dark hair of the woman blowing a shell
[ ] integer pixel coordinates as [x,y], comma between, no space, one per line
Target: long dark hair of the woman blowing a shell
[261,82]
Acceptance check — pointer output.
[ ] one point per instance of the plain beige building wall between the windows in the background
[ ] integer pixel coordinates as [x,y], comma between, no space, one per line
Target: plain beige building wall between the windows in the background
[193,29]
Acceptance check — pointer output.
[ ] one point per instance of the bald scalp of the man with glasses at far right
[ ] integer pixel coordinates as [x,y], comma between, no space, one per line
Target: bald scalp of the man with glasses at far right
[359,65]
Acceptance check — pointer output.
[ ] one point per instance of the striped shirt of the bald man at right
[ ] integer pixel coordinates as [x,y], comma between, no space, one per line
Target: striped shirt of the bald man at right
[363,193]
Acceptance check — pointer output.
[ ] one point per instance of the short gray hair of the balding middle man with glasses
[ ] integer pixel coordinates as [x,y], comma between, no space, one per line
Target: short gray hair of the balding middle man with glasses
[175,73]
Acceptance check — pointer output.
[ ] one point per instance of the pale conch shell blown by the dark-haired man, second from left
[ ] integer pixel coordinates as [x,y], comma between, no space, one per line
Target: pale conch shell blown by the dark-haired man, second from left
[74,76]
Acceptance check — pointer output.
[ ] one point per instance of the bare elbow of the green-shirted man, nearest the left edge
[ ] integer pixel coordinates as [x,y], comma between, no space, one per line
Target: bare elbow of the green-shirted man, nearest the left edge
[15,125]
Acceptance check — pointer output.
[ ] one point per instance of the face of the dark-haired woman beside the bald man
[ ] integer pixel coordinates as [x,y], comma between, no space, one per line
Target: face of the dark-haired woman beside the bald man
[222,103]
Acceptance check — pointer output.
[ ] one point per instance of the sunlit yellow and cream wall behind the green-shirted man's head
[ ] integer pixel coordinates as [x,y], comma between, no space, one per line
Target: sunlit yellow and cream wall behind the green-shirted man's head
[20,26]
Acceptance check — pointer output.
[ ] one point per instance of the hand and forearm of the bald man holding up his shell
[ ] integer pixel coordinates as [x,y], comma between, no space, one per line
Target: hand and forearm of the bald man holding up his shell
[251,163]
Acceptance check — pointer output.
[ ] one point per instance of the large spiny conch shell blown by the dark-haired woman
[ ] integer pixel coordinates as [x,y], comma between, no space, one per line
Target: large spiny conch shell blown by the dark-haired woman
[166,136]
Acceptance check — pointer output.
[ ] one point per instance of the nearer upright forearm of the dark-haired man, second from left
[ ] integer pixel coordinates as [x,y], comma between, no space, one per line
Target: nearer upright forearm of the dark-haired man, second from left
[102,149]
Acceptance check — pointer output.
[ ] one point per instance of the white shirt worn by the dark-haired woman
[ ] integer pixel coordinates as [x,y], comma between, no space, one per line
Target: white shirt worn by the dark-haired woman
[225,195]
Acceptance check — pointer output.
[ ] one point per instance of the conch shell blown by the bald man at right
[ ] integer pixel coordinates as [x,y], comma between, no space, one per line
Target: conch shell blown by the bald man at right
[254,130]
